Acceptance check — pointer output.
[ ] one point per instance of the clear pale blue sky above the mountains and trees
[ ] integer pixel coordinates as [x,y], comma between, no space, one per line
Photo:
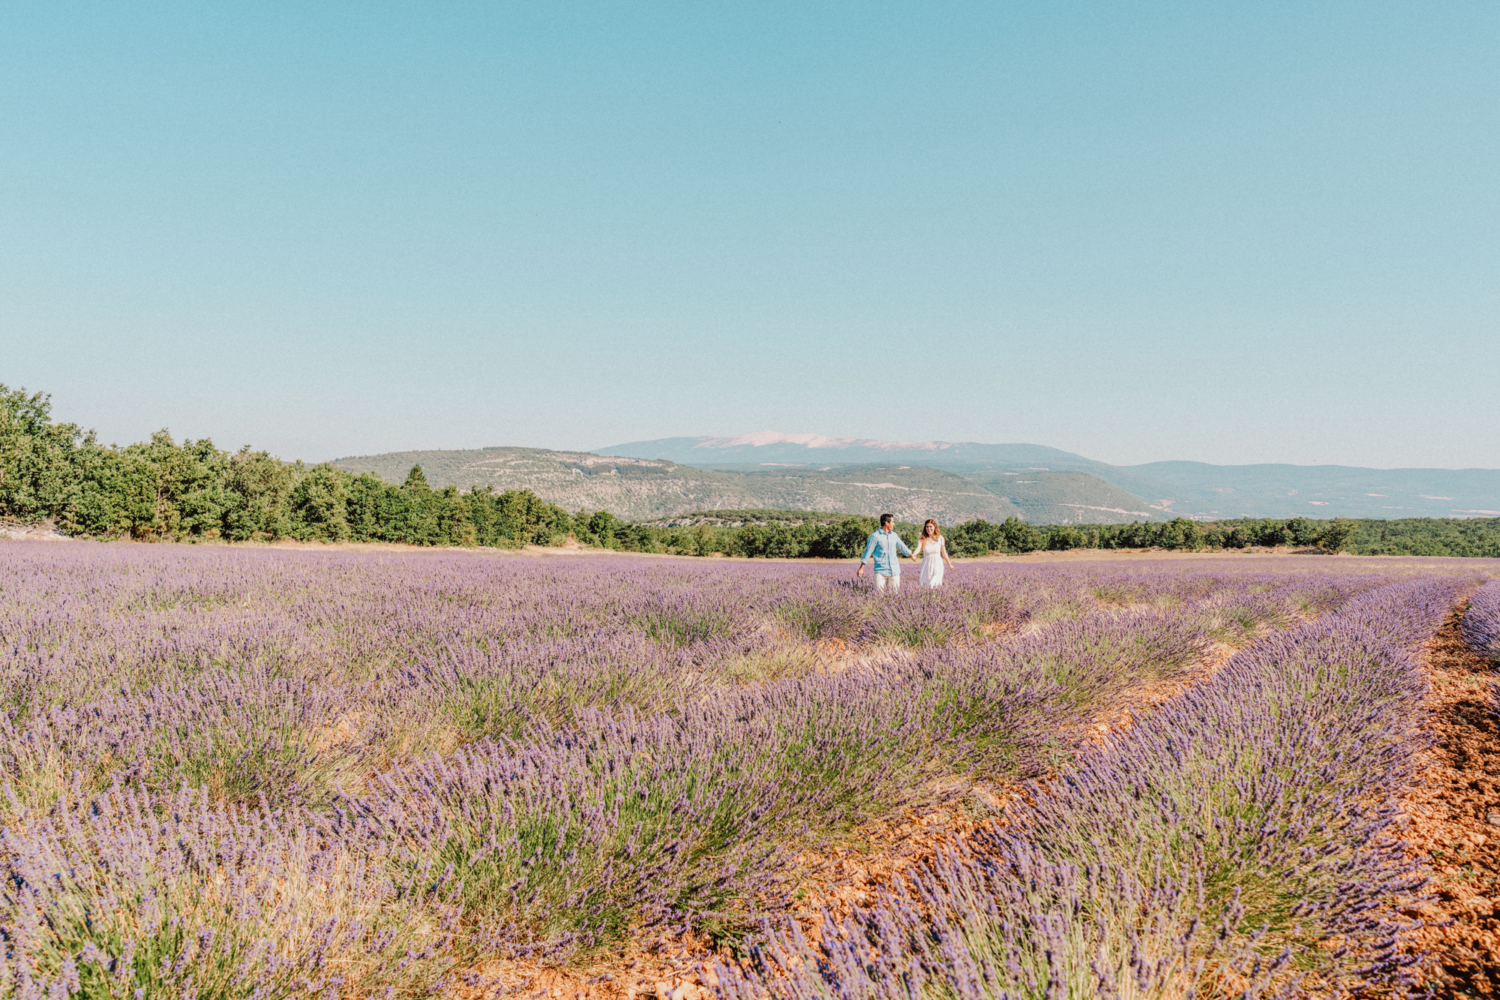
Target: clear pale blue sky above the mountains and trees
[1217,232]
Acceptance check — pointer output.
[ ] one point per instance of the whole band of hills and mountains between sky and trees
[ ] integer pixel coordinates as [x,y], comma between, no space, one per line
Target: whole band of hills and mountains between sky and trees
[934,479]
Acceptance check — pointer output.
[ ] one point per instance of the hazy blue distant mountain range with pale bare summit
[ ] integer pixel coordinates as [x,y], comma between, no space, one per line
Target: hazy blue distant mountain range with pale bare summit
[1055,487]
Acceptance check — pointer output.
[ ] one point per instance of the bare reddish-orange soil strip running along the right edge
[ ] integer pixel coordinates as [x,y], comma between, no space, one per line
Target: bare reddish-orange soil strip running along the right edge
[1456,824]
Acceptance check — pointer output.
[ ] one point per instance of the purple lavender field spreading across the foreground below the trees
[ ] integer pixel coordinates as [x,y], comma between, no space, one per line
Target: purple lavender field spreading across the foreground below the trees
[248,773]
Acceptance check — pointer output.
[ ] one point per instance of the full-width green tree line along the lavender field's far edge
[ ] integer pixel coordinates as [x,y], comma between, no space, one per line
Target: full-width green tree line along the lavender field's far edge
[193,491]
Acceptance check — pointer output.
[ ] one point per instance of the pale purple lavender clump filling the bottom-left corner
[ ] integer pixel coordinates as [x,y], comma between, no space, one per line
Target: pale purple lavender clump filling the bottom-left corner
[121,894]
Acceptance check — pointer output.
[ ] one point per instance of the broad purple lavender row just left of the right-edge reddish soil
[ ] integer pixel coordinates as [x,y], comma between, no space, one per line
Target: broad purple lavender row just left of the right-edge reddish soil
[1240,837]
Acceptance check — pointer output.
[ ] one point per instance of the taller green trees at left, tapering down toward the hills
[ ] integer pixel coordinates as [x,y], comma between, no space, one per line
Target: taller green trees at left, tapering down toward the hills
[193,491]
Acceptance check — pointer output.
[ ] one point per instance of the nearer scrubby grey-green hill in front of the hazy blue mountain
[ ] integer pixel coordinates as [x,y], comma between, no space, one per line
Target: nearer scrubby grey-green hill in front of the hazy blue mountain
[643,490]
